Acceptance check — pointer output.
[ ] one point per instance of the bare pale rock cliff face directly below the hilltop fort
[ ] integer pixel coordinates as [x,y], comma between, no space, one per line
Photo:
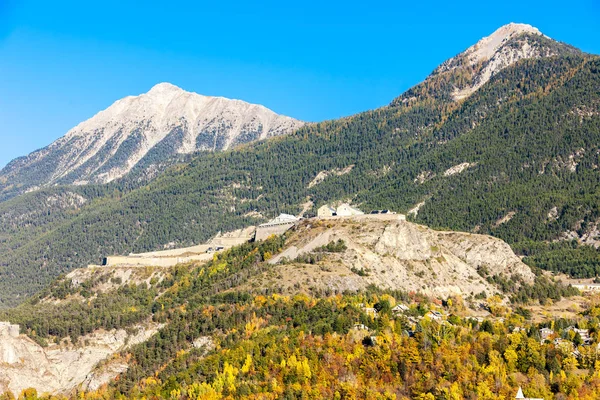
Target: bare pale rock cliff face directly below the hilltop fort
[390,252]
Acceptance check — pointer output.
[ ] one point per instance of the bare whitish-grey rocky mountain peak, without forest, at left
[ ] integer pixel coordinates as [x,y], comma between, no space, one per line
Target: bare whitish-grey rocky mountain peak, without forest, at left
[143,131]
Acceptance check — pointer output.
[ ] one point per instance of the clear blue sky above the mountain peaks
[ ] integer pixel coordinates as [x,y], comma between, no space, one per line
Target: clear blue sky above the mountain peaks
[63,61]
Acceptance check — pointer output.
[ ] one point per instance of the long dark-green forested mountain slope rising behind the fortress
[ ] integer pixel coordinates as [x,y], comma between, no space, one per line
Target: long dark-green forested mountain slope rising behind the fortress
[517,159]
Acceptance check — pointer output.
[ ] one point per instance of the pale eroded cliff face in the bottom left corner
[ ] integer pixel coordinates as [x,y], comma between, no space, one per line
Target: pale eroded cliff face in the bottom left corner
[61,368]
